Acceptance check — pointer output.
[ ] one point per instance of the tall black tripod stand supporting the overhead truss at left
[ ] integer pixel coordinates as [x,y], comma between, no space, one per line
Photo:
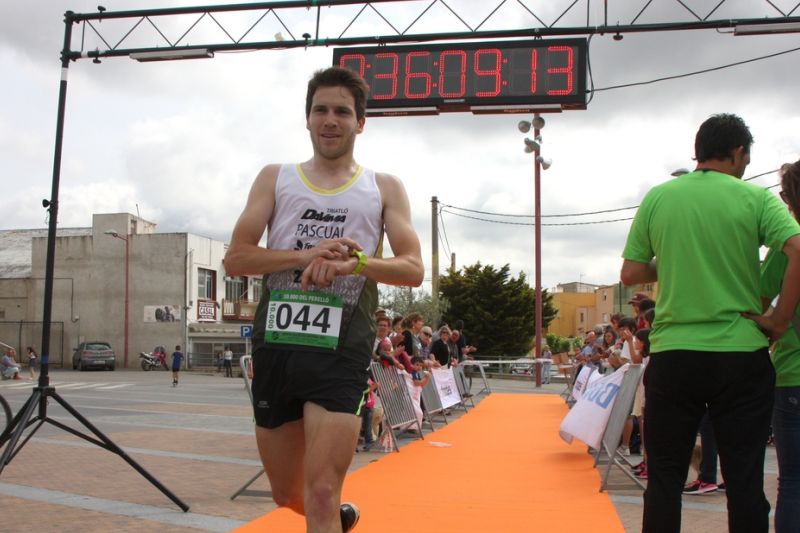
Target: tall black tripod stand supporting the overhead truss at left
[34,411]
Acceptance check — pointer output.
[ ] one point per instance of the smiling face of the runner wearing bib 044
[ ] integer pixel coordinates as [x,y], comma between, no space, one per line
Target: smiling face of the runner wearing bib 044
[332,122]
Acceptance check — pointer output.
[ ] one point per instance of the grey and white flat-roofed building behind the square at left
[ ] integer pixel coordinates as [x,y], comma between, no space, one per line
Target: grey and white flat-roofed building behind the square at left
[177,292]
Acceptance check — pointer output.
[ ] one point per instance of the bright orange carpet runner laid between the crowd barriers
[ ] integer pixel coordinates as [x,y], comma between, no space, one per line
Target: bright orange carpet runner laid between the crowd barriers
[500,468]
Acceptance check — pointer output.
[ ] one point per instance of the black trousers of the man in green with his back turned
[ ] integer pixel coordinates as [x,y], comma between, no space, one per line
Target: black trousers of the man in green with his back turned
[738,388]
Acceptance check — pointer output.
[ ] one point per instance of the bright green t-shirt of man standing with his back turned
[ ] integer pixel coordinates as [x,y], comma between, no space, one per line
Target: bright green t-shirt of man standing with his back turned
[705,229]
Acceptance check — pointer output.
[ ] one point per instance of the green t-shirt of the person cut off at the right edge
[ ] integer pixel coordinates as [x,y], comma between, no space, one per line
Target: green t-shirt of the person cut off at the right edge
[786,355]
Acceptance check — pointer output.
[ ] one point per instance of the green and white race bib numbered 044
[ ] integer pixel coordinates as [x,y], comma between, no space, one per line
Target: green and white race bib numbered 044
[304,318]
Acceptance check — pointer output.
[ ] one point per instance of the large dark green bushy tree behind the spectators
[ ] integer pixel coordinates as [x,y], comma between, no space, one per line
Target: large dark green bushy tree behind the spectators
[498,310]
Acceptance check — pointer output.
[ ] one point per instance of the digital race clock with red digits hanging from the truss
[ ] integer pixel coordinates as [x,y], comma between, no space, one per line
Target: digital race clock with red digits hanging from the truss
[503,76]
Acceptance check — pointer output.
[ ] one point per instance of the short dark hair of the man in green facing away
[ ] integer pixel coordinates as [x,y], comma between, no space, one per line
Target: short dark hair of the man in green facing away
[719,135]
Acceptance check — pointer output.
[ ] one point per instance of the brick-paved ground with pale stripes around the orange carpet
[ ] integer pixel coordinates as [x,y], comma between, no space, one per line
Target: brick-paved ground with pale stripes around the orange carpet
[197,440]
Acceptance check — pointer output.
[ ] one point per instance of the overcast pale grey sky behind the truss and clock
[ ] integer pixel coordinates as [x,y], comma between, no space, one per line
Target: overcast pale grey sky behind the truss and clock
[179,143]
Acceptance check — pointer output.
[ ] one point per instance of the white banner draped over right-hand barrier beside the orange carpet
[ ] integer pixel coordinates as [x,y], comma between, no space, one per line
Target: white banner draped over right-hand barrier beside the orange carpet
[588,418]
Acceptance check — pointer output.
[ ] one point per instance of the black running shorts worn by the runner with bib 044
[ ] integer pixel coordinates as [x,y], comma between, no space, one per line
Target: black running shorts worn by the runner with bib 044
[283,380]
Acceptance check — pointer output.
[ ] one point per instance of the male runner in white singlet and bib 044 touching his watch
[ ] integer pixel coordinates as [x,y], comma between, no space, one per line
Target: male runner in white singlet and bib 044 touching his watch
[314,328]
